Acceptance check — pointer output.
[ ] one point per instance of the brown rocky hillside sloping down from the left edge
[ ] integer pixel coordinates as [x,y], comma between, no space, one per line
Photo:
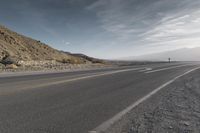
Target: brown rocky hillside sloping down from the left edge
[19,49]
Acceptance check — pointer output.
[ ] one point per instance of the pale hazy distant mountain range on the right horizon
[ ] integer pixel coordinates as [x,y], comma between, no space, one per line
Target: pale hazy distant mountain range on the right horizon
[184,54]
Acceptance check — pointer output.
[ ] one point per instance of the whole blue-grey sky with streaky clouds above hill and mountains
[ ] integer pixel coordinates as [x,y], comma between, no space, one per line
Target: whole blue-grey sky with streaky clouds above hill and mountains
[108,29]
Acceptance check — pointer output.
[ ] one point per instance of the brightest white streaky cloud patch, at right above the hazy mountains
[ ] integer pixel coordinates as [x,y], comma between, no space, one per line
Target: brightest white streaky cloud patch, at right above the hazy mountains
[177,28]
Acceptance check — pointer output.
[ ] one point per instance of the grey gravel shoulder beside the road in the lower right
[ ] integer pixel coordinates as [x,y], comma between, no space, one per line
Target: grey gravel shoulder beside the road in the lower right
[175,109]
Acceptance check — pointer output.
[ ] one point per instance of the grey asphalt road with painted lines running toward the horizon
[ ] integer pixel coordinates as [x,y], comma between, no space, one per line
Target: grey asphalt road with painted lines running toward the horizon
[77,102]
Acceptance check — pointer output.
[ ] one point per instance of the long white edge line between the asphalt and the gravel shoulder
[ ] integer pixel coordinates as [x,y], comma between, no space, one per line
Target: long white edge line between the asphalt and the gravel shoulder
[104,126]
